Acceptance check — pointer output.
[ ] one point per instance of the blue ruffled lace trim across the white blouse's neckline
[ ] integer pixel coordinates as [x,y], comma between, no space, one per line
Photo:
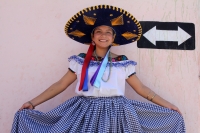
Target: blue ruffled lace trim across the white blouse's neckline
[80,61]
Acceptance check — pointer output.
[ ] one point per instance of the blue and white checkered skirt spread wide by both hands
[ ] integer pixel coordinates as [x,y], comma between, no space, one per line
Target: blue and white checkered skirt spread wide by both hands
[100,115]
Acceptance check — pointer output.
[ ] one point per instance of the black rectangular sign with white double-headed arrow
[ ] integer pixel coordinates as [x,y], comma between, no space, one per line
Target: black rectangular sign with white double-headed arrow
[167,35]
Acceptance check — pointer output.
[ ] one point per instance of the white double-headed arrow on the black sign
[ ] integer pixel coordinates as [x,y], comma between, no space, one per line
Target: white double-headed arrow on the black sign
[154,35]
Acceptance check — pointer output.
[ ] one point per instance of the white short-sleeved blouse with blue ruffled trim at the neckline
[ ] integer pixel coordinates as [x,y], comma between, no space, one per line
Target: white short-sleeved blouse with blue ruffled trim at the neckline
[115,86]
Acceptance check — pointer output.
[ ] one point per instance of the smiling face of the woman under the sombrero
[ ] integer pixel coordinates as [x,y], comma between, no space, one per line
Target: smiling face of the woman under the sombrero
[103,36]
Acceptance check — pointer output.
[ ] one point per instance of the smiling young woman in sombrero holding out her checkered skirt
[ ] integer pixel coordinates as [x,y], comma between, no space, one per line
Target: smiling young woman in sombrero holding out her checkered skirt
[100,105]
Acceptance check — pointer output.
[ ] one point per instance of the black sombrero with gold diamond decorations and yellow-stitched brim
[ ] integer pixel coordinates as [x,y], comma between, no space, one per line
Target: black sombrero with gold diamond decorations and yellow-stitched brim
[81,25]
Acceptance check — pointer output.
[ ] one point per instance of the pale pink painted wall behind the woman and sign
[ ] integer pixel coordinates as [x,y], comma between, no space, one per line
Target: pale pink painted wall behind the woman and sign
[34,53]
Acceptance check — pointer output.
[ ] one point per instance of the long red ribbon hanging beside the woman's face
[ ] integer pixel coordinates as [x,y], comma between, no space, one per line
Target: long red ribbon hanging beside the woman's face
[85,65]
